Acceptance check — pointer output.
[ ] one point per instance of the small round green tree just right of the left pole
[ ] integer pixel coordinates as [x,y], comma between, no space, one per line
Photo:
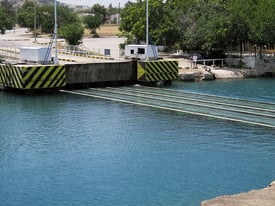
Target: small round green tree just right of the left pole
[72,33]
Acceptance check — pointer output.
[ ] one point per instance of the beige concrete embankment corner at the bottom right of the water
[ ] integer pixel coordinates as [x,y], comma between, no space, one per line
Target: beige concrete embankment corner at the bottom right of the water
[263,197]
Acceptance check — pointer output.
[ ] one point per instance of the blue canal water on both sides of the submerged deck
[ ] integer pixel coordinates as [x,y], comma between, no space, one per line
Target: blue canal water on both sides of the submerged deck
[64,149]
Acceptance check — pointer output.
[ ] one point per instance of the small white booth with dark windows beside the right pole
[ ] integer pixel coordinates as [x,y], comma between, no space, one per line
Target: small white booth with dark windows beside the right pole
[142,52]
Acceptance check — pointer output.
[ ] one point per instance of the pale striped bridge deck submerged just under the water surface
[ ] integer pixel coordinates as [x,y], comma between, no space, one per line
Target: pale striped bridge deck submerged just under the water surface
[237,110]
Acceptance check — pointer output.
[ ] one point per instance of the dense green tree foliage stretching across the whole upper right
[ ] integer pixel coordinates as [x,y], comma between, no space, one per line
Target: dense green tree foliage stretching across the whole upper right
[207,25]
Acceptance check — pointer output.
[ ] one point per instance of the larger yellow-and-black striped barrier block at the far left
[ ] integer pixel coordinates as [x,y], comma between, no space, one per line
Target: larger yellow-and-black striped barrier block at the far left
[32,77]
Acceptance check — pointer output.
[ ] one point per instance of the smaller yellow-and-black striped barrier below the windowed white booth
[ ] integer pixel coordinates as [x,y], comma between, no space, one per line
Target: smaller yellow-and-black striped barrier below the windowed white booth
[154,71]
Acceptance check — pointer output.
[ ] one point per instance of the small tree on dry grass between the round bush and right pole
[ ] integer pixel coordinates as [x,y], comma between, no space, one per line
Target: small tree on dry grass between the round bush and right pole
[96,17]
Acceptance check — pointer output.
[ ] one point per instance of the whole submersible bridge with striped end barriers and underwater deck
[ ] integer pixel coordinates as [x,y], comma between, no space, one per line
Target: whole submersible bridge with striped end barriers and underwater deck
[68,78]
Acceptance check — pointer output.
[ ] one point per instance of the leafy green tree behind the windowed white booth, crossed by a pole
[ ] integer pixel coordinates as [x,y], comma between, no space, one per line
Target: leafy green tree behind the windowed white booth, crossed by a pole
[162,21]
